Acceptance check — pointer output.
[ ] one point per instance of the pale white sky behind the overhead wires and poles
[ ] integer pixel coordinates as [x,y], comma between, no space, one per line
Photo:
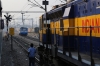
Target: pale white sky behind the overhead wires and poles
[18,5]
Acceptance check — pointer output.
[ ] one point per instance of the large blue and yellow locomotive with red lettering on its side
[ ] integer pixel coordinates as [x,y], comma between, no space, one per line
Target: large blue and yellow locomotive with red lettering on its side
[72,32]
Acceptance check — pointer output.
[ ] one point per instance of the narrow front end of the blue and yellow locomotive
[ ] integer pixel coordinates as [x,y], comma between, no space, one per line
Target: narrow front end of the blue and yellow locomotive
[44,31]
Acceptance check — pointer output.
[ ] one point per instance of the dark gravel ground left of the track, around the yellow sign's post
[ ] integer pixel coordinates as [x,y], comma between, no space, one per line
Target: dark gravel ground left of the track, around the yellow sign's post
[17,57]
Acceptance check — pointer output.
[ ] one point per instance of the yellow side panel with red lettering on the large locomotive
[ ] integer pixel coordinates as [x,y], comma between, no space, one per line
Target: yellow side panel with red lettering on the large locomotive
[84,22]
